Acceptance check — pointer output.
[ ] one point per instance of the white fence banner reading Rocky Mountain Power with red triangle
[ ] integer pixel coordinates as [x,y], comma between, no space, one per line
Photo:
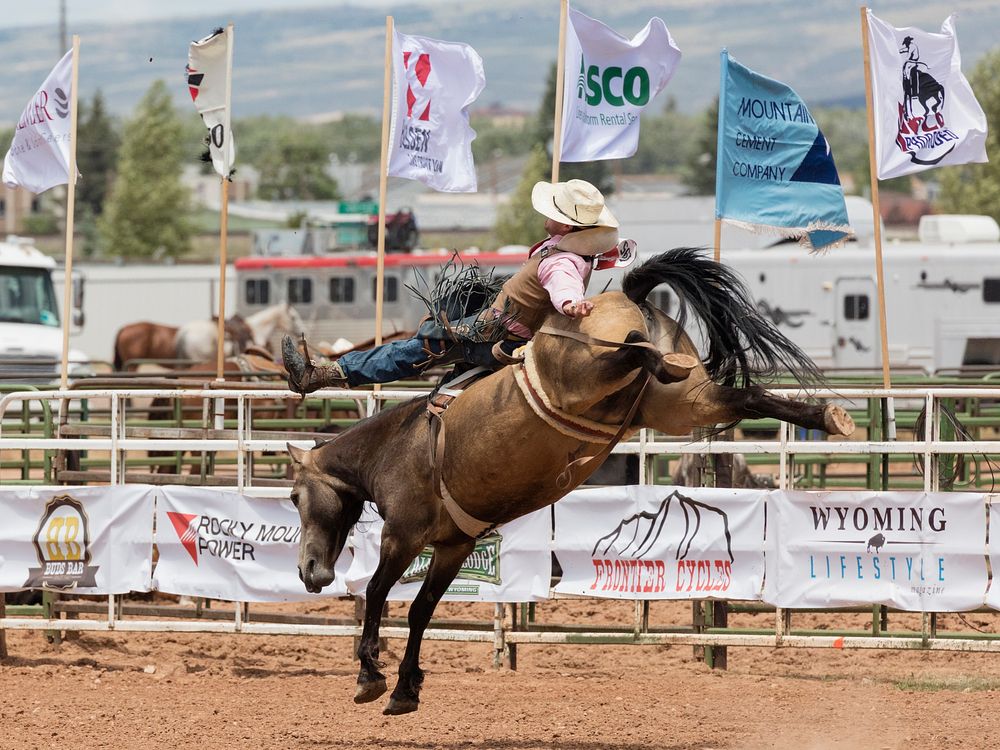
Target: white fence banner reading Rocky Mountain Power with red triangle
[224,545]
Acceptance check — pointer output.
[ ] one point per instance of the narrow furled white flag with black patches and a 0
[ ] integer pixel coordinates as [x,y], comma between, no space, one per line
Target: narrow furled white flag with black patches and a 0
[208,72]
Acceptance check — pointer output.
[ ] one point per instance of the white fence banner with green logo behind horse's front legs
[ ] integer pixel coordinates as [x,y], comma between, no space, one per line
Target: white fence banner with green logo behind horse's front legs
[513,563]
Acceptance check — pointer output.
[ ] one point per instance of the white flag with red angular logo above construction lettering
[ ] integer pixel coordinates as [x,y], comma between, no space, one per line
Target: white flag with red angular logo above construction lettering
[430,137]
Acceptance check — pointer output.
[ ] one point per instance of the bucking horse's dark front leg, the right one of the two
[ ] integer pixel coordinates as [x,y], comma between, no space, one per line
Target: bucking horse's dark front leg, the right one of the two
[444,567]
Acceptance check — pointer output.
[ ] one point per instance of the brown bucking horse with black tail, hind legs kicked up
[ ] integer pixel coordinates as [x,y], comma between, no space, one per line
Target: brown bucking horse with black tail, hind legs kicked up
[523,437]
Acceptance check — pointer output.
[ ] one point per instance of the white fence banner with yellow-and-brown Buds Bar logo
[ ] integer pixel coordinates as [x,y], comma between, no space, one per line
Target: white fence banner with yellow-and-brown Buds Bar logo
[90,540]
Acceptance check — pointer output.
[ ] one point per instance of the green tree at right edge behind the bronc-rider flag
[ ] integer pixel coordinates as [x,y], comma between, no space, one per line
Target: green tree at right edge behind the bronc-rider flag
[975,188]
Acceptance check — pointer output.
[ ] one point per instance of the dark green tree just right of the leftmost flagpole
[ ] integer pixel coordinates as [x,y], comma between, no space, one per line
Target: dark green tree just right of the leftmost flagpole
[96,154]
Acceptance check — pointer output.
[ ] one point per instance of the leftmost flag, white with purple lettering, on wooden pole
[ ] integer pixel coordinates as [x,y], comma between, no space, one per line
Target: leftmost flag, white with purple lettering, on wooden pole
[39,154]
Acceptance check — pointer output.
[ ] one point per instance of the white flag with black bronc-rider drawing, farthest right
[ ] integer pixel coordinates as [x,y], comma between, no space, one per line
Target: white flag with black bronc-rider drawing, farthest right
[925,112]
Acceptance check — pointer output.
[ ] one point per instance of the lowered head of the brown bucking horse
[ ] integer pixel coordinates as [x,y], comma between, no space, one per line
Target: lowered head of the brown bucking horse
[328,509]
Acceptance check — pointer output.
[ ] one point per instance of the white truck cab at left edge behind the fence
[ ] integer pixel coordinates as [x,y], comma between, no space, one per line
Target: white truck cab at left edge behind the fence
[30,326]
